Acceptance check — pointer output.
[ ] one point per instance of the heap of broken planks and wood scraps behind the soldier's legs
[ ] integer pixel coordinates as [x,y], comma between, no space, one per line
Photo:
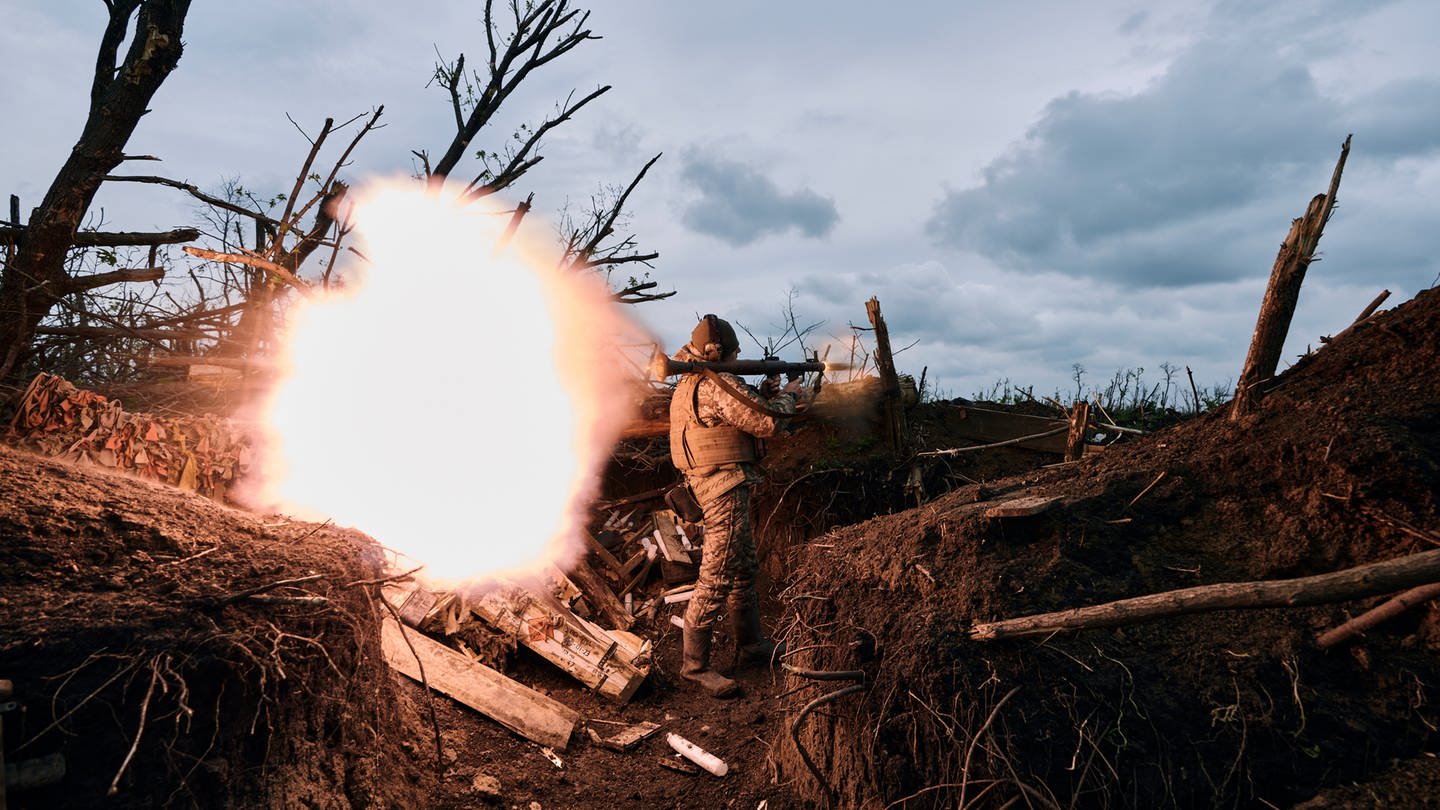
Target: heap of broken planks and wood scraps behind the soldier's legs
[580,619]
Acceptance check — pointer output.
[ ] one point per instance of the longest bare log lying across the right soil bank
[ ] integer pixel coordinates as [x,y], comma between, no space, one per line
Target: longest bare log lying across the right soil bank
[1341,586]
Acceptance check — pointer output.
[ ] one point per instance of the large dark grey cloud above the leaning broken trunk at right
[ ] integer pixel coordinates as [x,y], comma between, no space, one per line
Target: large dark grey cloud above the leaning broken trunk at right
[1192,181]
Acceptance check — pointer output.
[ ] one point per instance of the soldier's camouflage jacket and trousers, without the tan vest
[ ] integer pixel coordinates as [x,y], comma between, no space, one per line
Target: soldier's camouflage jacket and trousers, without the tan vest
[729,563]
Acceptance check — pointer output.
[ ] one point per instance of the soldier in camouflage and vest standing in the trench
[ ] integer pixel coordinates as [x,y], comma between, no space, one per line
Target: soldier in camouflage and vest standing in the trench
[715,420]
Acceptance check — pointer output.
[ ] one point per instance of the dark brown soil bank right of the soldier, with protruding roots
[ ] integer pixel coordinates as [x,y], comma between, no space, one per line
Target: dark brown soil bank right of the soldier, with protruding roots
[1338,468]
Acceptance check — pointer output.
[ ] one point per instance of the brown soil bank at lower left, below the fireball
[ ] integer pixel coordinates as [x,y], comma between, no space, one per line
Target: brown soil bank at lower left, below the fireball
[174,652]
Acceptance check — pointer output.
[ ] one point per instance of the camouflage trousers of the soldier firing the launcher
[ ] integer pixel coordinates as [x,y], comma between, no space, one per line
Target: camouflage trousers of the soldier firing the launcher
[729,566]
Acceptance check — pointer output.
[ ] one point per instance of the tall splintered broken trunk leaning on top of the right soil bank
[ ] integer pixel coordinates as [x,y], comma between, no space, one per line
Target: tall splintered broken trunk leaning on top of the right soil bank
[1282,295]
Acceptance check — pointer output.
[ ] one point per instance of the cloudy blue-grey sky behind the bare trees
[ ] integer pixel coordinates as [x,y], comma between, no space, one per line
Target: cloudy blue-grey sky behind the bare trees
[1029,188]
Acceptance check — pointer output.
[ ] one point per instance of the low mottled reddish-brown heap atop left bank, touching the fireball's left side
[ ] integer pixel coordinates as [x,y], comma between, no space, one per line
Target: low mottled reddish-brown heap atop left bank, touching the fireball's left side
[204,455]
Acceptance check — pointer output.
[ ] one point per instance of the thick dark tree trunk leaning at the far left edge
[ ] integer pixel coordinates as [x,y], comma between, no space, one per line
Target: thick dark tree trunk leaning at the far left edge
[37,276]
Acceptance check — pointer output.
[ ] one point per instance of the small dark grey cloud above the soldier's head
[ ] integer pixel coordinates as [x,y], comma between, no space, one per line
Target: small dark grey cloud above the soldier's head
[739,205]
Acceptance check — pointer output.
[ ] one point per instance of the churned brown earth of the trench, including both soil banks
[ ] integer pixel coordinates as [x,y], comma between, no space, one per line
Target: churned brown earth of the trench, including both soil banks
[139,657]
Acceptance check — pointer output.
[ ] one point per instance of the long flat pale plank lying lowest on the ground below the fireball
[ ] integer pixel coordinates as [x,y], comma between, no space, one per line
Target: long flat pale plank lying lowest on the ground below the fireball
[510,704]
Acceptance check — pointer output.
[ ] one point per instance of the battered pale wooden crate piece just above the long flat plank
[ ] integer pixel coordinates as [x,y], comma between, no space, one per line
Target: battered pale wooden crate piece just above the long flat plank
[607,664]
